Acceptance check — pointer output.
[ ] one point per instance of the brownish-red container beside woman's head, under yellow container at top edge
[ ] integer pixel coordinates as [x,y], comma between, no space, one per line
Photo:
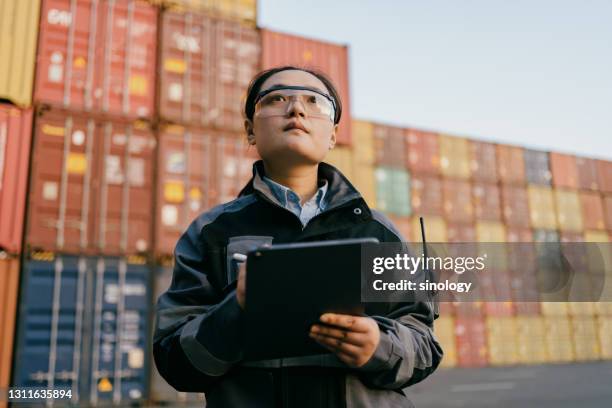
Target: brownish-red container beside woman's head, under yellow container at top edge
[206,66]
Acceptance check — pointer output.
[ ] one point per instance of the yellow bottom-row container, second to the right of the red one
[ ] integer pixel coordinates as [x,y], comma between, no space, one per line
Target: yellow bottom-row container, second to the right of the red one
[531,340]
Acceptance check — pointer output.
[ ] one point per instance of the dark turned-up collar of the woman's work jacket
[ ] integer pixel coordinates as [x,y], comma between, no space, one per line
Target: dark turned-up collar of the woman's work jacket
[339,191]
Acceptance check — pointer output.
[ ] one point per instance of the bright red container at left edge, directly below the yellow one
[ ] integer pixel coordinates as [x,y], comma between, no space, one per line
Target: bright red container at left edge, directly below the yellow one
[15,138]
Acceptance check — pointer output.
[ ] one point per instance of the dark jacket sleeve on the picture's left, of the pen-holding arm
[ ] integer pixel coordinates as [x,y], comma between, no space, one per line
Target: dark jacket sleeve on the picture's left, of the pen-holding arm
[198,331]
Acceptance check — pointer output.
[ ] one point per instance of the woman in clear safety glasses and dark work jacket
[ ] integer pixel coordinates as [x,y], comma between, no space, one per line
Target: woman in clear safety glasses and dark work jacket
[292,117]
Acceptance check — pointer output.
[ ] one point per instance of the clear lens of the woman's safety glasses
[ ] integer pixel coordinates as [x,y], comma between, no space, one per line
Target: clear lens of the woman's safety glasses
[277,103]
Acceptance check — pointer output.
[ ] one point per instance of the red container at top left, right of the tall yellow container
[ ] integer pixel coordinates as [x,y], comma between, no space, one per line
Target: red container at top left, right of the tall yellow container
[98,56]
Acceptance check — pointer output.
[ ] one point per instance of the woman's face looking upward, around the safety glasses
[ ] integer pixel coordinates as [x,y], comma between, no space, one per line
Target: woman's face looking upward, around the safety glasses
[276,138]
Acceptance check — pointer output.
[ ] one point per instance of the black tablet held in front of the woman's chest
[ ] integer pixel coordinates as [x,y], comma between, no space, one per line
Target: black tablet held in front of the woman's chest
[289,286]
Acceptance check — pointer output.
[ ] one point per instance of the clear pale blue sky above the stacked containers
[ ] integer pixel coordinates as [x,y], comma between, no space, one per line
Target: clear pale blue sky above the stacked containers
[536,73]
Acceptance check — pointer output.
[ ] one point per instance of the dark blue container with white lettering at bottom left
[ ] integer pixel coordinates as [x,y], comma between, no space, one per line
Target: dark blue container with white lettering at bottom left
[84,326]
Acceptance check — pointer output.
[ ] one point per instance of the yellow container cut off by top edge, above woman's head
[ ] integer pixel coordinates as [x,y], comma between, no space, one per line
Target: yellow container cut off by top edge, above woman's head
[244,11]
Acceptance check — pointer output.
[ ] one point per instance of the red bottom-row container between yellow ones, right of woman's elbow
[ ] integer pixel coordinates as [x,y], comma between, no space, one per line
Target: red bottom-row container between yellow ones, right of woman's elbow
[470,334]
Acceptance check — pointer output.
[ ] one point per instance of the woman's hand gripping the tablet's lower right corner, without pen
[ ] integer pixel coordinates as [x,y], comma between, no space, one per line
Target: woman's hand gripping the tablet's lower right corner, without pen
[352,338]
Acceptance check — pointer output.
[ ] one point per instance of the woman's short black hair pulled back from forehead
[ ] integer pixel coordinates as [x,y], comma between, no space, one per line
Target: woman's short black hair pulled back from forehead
[260,78]
